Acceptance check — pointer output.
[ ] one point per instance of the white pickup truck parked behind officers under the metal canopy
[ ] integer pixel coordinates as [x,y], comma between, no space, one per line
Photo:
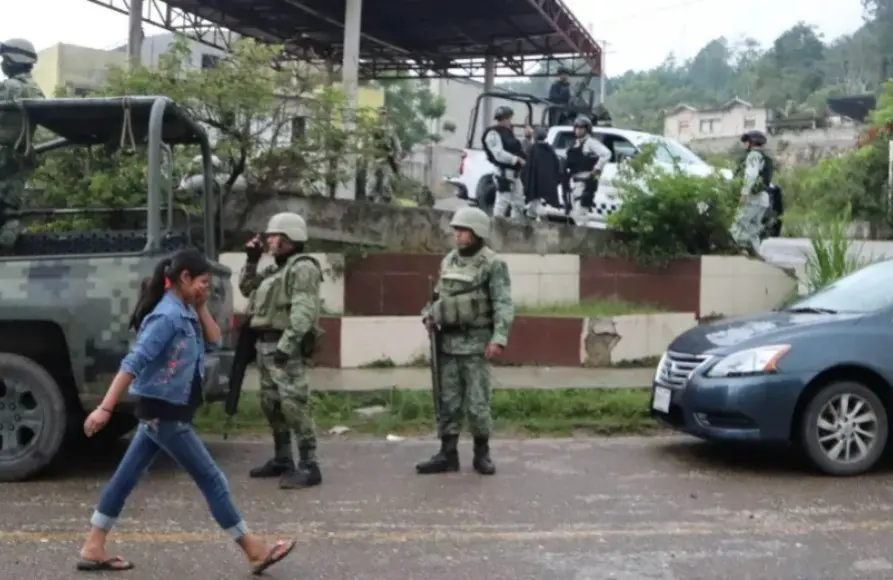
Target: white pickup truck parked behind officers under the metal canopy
[475,182]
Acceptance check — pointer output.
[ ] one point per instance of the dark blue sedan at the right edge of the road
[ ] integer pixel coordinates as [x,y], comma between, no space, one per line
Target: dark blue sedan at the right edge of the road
[818,374]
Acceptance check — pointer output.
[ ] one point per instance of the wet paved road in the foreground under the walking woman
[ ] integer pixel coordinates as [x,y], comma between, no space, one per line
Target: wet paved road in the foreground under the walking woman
[624,509]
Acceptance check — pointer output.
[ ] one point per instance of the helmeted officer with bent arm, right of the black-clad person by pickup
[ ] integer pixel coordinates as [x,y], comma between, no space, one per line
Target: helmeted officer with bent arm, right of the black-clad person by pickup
[585,160]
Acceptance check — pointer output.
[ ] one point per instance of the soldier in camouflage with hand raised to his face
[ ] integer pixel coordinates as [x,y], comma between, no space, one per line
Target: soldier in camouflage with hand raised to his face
[284,305]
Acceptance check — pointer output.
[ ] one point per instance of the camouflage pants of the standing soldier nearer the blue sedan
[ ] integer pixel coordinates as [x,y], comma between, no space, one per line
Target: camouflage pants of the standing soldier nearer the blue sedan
[464,382]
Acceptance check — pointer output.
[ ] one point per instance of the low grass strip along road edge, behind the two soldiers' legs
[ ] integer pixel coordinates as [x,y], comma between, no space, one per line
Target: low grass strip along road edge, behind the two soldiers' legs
[529,412]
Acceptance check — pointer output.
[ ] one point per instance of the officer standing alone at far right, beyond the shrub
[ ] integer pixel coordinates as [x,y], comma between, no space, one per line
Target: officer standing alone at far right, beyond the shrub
[757,173]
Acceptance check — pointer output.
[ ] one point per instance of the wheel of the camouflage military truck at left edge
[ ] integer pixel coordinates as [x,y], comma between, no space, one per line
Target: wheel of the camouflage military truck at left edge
[33,418]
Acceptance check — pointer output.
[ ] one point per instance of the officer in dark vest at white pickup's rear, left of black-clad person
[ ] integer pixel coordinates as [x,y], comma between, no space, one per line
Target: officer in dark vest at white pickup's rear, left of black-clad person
[506,152]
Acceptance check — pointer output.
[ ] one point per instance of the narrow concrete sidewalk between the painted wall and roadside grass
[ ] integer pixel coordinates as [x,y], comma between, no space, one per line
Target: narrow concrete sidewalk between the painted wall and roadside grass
[419,378]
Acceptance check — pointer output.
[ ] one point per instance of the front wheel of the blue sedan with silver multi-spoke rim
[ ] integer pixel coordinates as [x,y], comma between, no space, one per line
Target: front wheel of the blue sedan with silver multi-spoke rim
[844,429]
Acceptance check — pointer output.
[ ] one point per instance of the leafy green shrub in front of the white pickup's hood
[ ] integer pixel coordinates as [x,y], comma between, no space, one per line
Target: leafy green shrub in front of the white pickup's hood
[666,215]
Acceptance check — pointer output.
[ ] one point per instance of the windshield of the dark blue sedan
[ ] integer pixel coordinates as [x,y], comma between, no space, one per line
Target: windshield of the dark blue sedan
[863,291]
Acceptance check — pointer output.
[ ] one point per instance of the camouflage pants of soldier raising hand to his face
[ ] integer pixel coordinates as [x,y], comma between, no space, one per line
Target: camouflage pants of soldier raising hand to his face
[285,396]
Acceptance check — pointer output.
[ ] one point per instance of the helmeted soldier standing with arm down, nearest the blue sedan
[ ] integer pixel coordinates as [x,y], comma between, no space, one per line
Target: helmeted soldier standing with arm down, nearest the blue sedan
[473,311]
